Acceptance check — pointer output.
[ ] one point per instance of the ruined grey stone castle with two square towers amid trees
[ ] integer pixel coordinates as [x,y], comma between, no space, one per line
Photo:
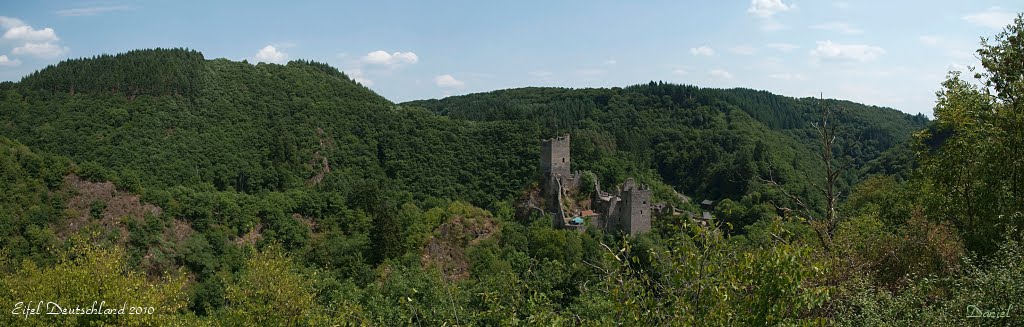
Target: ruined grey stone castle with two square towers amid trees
[629,211]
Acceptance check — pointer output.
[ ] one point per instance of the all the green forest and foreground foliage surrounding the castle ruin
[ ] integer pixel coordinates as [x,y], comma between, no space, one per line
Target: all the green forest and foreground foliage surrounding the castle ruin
[225,193]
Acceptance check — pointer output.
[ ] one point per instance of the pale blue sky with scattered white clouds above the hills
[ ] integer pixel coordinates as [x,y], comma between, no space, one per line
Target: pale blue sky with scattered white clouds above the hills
[889,54]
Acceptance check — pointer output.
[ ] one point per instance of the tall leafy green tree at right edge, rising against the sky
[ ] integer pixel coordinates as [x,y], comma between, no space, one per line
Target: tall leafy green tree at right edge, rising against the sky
[971,154]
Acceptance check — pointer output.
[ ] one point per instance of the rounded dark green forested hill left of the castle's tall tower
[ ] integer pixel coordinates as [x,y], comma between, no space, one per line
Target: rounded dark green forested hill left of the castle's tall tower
[229,126]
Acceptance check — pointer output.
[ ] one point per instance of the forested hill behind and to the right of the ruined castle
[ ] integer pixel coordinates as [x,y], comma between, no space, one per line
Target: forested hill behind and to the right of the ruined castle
[711,144]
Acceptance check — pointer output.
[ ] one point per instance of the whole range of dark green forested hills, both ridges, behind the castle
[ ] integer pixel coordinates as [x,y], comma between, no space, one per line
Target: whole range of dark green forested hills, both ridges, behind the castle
[234,127]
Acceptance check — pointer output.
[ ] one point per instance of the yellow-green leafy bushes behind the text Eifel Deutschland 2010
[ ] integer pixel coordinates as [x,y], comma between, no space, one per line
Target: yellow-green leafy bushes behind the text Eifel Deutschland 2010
[87,276]
